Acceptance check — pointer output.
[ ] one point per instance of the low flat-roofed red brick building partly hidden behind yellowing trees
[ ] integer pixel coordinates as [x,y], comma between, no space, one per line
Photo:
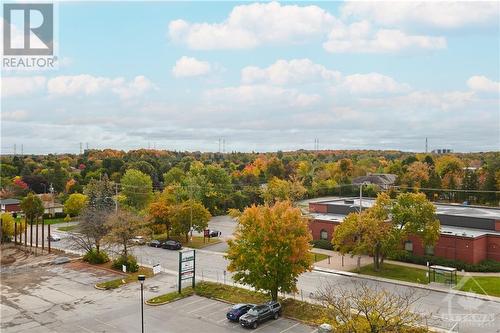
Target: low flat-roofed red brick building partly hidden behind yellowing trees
[468,233]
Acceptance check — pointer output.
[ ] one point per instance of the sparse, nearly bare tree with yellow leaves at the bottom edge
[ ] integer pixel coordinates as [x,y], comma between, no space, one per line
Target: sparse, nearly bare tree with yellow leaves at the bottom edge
[363,308]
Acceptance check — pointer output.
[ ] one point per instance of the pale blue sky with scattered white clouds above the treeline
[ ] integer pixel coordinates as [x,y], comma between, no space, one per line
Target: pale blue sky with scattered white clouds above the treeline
[263,76]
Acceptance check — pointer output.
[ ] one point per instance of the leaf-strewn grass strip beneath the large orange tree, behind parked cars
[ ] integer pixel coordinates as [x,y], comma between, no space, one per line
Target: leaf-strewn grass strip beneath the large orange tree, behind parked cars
[309,313]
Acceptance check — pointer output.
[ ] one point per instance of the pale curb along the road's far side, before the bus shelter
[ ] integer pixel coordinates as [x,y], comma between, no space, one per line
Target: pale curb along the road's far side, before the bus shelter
[406,284]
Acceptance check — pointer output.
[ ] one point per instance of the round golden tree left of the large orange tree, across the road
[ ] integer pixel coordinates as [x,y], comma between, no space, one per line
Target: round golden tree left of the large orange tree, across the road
[189,214]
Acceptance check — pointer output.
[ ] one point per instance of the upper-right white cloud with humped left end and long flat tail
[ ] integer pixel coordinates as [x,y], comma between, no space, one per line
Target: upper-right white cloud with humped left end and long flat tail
[359,37]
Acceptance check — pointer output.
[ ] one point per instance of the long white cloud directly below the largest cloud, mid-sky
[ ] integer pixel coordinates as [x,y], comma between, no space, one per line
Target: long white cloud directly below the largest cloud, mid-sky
[295,71]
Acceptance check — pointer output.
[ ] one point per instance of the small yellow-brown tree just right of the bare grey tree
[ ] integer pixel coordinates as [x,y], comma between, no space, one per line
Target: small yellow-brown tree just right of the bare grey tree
[122,227]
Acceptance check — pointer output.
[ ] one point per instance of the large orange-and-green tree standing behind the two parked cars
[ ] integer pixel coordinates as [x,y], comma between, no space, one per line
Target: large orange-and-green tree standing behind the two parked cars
[271,248]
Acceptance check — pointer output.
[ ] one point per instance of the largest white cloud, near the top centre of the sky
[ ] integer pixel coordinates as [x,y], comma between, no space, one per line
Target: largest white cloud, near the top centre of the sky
[251,25]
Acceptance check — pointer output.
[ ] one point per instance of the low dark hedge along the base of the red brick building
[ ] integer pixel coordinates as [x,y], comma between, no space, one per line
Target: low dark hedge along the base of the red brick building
[483,266]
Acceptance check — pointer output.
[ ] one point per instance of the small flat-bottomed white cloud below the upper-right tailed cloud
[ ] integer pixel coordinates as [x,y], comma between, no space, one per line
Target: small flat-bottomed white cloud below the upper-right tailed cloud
[371,83]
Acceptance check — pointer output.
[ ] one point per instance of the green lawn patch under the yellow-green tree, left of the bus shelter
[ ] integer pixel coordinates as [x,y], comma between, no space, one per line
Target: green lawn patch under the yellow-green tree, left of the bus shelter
[396,272]
